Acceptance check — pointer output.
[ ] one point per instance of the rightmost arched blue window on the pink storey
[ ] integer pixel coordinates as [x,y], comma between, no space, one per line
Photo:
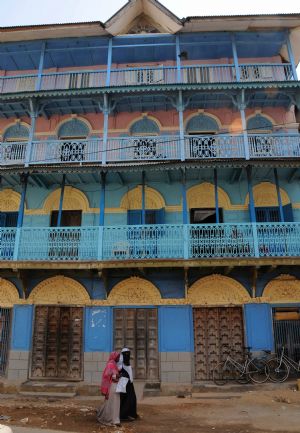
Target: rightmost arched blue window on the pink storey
[261,143]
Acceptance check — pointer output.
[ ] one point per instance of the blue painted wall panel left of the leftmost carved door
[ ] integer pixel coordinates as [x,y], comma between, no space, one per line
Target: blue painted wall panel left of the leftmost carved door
[22,327]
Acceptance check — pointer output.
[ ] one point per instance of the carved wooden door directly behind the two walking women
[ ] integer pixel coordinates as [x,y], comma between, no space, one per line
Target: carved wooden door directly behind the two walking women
[136,328]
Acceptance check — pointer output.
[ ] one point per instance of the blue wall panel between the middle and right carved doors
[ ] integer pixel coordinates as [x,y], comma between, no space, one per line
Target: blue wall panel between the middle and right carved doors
[175,329]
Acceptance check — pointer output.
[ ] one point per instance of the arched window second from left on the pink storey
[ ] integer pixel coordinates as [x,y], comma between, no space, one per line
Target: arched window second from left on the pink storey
[73,133]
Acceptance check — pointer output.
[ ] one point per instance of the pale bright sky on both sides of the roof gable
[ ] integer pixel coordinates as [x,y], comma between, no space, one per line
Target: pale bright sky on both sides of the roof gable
[22,12]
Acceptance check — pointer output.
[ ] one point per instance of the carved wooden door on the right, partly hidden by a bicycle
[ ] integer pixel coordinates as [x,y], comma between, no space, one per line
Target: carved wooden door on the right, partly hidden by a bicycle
[218,331]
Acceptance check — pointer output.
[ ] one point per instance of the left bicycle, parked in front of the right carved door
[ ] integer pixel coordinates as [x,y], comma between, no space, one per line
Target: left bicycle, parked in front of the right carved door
[253,369]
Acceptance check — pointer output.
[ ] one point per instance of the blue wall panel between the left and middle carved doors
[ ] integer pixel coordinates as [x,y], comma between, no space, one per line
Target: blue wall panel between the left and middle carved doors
[98,330]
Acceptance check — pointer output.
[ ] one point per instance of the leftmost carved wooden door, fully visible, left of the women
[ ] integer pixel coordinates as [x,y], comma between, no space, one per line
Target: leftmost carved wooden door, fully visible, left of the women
[57,343]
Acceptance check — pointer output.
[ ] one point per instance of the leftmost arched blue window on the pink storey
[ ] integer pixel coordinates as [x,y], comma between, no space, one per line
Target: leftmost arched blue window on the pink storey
[16,137]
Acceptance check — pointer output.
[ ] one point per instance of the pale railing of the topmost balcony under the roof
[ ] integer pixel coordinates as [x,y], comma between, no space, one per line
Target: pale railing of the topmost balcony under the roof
[143,76]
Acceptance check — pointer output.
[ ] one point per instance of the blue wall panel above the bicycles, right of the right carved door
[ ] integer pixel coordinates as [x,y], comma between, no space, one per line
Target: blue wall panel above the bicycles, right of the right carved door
[259,327]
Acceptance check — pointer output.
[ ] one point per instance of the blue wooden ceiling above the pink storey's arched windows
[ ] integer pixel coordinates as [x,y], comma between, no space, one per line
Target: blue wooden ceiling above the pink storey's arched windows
[15,105]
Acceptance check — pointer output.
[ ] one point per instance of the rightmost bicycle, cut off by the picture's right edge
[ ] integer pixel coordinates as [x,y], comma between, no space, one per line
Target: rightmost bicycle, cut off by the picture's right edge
[280,367]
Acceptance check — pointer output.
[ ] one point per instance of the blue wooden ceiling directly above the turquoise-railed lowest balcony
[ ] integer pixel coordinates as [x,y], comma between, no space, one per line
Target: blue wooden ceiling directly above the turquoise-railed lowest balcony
[133,175]
